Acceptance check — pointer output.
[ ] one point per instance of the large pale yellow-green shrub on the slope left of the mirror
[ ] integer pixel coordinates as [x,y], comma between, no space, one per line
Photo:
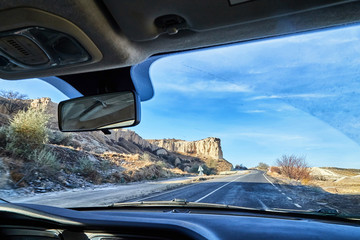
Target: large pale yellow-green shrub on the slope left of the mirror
[27,131]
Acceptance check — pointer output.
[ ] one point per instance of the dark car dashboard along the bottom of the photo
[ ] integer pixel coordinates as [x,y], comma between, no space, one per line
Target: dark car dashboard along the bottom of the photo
[36,222]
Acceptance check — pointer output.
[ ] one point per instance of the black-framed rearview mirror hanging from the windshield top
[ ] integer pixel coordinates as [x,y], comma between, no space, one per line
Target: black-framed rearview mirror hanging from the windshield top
[99,112]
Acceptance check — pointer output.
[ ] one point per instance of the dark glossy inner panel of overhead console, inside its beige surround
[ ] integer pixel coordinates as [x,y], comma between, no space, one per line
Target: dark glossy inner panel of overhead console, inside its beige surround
[37,48]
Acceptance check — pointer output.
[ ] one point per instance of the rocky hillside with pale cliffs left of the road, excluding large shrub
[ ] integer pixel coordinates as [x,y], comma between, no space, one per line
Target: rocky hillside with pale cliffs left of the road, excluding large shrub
[94,158]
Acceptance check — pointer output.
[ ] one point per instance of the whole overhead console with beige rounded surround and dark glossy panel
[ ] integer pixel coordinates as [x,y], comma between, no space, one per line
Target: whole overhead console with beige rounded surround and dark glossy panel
[33,40]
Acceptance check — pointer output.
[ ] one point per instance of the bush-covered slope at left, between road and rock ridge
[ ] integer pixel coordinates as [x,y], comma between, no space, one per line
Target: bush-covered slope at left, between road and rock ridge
[34,155]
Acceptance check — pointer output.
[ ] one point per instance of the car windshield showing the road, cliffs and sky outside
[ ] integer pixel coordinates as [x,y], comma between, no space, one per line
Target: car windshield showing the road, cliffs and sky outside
[272,124]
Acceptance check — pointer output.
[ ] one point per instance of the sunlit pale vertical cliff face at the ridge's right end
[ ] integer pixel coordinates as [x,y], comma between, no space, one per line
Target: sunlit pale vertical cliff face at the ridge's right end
[206,148]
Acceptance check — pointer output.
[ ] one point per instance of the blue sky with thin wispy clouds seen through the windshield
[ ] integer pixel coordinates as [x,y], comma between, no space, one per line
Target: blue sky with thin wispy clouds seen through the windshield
[294,95]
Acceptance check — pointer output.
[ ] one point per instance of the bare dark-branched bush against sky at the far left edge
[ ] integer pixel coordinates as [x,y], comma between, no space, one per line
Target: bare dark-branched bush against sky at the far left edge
[13,101]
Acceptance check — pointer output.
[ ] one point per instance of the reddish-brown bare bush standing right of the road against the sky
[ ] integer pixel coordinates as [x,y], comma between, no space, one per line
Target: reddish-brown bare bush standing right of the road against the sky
[294,167]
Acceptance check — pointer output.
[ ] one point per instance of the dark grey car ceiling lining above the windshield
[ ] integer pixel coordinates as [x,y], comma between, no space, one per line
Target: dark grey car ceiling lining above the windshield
[125,39]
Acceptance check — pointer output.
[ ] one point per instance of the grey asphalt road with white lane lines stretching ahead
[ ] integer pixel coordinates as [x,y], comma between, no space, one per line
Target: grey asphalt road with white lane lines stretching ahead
[253,190]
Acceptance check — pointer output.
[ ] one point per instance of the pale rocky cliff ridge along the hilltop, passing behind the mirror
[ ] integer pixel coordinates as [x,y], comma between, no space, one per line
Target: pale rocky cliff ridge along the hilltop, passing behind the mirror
[179,153]
